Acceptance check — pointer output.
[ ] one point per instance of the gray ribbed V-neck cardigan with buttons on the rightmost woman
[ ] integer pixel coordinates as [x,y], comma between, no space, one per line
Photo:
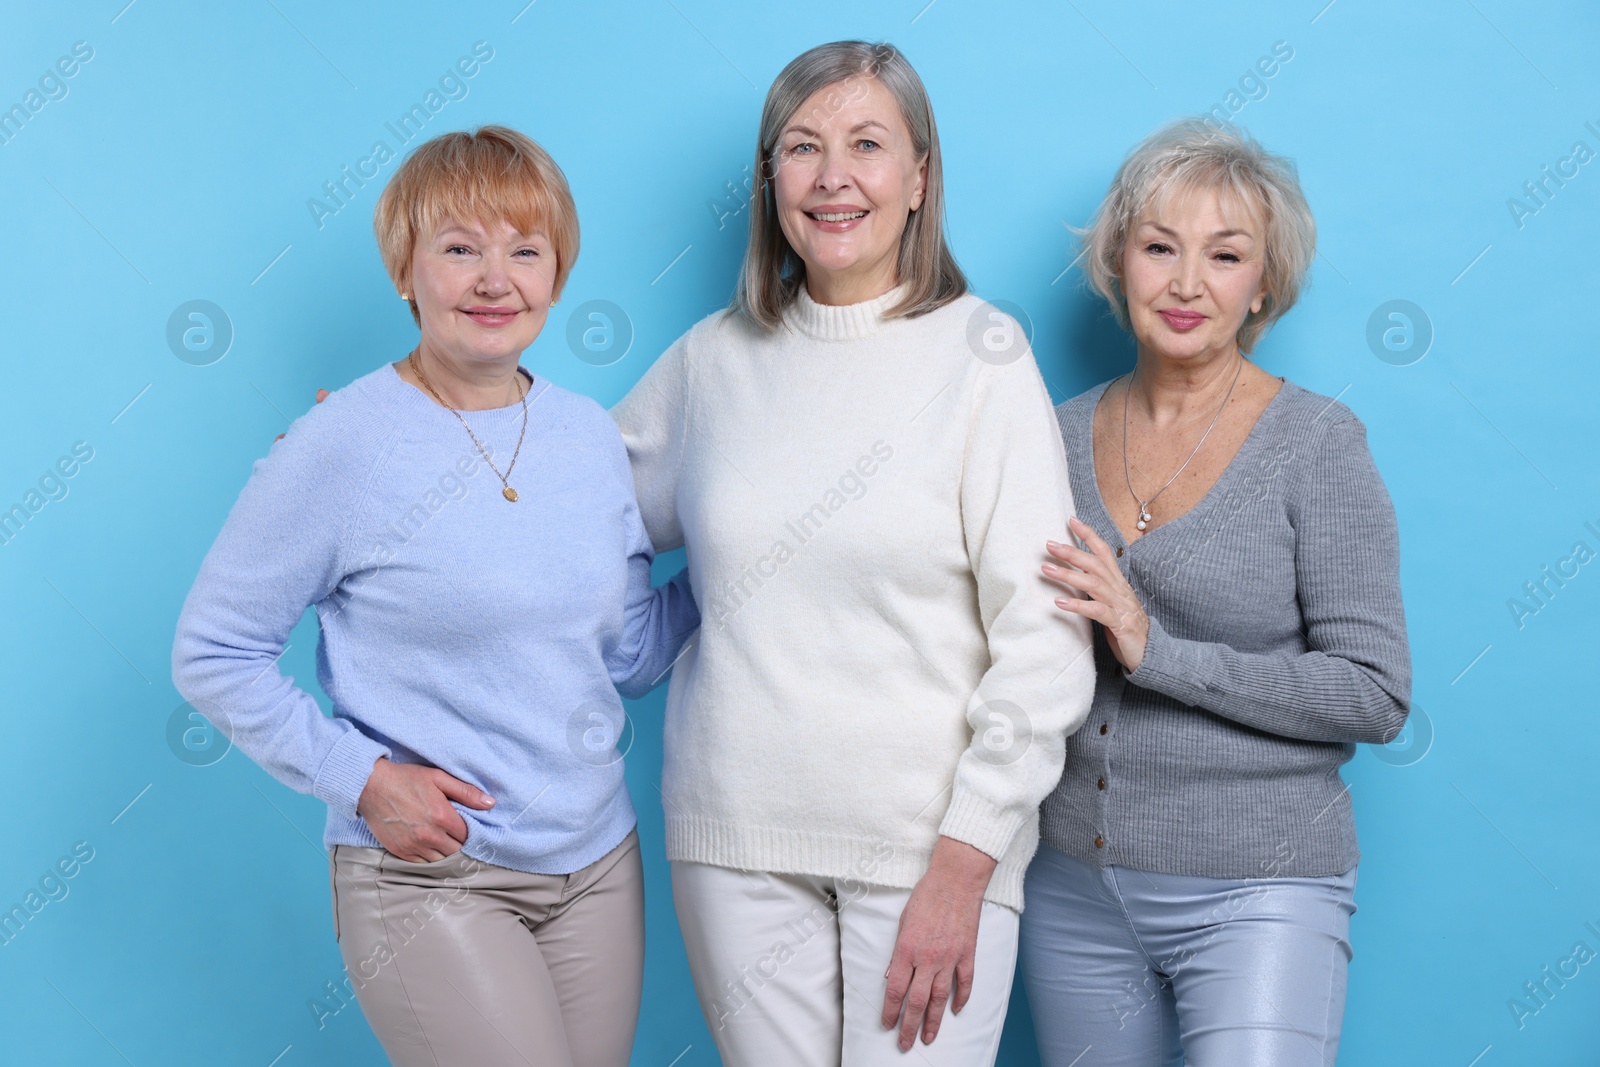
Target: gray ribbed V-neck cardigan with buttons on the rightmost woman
[1278,642]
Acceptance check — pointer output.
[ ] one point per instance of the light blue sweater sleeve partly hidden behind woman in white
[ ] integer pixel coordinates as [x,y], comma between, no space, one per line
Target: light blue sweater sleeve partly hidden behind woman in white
[657,620]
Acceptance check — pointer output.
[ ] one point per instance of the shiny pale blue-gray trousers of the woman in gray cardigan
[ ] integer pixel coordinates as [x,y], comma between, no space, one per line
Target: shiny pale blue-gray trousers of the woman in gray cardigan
[1130,969]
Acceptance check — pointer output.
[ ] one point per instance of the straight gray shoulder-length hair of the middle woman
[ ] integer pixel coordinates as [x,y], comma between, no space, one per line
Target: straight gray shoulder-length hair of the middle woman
[774,273]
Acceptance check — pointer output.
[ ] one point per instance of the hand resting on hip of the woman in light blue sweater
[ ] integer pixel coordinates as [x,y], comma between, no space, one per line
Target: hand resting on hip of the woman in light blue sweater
[407,809]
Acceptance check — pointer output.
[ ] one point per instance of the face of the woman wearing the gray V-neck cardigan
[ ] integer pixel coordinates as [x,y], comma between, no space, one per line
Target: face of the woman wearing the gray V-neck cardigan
[1193,274]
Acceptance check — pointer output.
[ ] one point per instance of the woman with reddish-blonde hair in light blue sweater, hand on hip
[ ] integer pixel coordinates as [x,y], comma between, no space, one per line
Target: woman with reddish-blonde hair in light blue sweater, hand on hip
[470,537]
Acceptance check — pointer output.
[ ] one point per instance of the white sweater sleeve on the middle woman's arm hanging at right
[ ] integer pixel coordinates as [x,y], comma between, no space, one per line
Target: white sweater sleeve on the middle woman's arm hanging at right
[1041,677]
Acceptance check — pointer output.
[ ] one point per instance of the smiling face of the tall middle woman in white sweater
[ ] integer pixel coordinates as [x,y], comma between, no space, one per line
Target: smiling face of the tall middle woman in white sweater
[849,178]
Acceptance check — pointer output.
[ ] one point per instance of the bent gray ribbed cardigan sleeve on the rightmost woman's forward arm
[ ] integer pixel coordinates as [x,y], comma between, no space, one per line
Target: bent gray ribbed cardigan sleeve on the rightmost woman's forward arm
[1354,682]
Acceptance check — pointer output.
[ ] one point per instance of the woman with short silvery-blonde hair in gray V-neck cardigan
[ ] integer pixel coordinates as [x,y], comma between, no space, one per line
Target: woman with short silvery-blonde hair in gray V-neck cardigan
[1239,557]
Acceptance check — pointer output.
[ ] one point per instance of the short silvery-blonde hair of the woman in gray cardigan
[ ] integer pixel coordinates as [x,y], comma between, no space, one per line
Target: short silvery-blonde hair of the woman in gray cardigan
[1204,156]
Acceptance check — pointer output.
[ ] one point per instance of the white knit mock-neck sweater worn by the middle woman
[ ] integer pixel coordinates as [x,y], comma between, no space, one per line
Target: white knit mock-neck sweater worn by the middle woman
[865,505]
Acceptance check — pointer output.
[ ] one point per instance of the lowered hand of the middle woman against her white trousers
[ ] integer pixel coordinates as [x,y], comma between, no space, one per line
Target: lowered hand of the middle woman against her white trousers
[938,943]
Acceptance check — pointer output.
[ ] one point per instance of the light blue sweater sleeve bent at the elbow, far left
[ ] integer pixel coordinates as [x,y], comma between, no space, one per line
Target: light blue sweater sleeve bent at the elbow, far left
[279,553]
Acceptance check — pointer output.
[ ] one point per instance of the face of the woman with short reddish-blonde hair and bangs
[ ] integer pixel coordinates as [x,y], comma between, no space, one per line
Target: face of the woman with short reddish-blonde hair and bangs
[482,294]
